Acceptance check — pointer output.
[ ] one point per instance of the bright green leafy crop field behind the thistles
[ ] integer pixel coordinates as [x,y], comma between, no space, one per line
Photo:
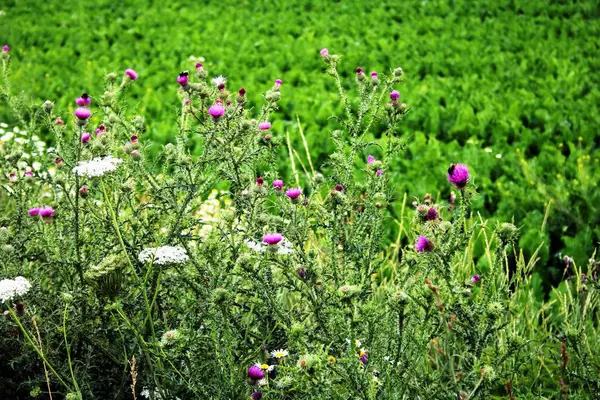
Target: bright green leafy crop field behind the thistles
[517,77]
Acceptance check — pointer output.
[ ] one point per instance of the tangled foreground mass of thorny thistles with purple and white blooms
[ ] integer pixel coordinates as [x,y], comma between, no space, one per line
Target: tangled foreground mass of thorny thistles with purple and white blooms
[134,283]
